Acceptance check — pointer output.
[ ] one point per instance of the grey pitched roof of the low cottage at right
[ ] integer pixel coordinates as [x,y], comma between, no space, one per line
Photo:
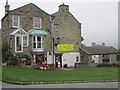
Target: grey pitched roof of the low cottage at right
[98,49]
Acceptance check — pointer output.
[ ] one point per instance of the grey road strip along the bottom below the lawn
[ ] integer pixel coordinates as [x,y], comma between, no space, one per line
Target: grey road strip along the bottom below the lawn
[72,85]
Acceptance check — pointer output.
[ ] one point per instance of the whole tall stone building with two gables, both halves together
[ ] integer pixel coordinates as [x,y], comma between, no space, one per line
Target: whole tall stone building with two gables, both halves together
[31,30]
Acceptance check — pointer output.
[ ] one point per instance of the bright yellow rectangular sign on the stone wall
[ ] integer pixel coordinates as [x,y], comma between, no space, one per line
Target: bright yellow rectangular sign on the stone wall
[65,47]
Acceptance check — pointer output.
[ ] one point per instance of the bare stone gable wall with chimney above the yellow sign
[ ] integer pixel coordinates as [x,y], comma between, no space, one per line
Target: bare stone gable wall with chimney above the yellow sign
[69,29]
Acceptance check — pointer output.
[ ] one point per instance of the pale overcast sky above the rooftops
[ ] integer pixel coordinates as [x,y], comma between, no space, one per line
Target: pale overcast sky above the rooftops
[99,18]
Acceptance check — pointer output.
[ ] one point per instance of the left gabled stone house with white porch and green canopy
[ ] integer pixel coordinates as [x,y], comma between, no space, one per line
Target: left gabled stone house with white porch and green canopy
[26,29]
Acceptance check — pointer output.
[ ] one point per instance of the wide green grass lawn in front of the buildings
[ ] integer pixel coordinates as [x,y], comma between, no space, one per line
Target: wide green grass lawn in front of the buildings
[20,74]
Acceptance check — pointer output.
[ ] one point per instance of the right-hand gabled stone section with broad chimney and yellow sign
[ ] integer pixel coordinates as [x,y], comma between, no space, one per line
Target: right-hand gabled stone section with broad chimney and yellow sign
[68,31]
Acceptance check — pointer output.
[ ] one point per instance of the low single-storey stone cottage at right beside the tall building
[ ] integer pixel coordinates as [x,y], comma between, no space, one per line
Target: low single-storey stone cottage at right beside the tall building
[96,54]
